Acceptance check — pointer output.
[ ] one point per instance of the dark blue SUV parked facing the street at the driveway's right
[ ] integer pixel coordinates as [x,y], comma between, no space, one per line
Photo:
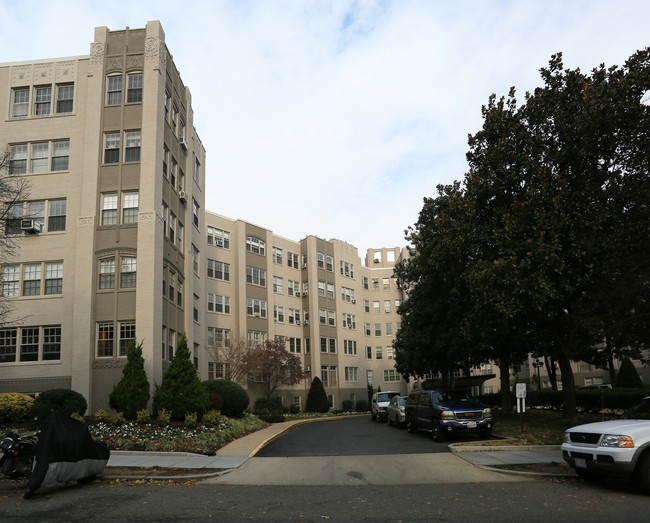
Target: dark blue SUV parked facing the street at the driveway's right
[444,411]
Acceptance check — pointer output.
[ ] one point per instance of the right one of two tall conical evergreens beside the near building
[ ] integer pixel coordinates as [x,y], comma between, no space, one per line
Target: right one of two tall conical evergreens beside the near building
[181,390]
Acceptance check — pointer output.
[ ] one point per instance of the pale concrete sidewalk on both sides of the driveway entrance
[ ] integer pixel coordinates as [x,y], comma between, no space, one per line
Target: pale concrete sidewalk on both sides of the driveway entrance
[238,452]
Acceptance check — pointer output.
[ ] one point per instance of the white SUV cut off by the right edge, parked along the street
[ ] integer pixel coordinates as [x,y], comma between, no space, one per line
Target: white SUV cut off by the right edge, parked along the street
[616,448]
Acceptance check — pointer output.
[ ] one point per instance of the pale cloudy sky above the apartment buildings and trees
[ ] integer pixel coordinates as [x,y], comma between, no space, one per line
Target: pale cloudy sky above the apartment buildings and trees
[336,118]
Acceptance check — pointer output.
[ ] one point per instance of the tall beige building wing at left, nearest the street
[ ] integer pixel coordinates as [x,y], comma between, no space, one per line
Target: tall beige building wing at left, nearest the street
[115,207]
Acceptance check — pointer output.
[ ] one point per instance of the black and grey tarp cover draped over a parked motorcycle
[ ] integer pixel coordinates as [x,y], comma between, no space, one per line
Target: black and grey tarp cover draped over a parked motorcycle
[66,452]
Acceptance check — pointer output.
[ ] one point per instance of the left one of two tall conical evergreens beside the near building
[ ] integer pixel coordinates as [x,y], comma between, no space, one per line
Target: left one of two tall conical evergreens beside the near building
[131,393]
